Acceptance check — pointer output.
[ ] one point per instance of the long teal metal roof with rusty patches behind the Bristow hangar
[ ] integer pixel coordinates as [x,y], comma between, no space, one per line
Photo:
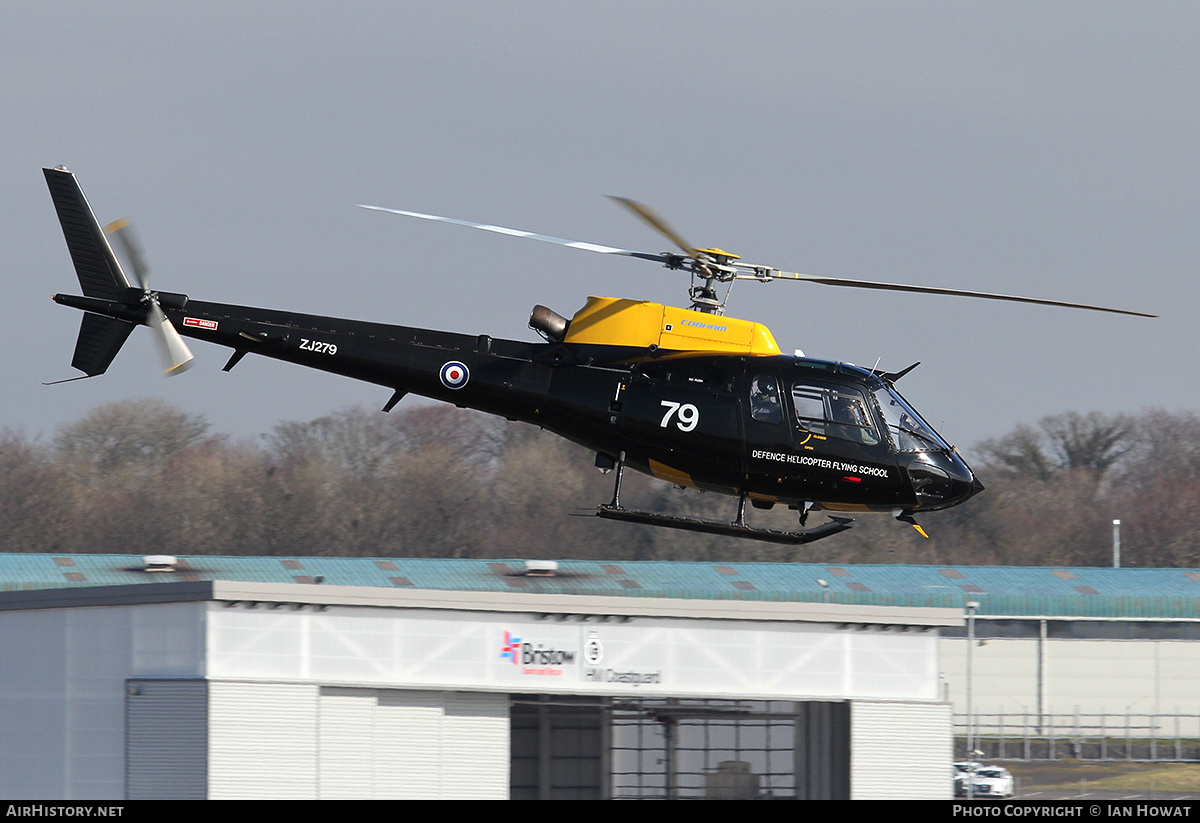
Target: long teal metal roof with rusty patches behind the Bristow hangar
[1000,591]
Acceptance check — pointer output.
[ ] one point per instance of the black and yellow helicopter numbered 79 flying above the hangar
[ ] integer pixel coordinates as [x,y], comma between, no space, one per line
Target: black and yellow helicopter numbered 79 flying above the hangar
[689,397]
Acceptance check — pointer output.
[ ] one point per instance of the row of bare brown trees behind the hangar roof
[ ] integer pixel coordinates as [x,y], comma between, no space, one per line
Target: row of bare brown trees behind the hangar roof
[437,482]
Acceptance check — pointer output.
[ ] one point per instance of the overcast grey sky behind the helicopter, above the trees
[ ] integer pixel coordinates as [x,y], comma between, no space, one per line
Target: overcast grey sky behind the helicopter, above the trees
[1027,148]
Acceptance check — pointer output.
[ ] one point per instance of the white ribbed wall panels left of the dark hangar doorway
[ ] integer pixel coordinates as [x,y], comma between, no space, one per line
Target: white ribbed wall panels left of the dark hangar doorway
[304,741]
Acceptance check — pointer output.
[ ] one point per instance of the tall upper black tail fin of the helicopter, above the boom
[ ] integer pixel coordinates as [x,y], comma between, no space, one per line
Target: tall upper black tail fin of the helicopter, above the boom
[100,274]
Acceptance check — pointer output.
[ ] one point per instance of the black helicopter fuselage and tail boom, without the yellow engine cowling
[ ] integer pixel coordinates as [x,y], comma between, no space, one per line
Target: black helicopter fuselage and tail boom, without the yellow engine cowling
[777,429]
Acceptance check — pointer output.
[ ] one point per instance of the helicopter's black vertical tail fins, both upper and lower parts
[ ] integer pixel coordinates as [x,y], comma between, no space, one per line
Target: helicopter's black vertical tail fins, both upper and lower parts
[100,274]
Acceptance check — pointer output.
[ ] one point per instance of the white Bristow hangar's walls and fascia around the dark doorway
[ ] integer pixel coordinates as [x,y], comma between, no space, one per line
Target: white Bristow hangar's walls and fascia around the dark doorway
[305,692]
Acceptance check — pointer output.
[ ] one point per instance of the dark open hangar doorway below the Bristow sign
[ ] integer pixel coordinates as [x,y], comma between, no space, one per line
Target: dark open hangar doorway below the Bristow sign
[571,748]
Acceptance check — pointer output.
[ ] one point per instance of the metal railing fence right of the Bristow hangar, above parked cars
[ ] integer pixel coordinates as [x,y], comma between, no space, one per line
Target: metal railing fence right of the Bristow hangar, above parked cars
[1076,736]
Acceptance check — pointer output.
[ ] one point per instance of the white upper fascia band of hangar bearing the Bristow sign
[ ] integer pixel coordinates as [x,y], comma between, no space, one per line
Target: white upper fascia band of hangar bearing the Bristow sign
[445,650]
